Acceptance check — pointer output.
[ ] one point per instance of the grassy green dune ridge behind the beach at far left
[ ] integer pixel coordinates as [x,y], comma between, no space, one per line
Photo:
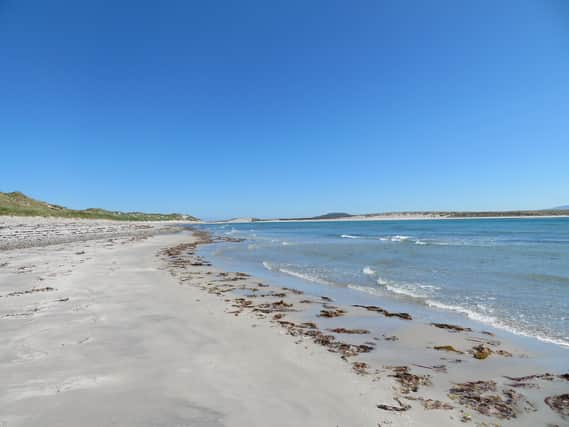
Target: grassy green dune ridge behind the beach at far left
[18,204]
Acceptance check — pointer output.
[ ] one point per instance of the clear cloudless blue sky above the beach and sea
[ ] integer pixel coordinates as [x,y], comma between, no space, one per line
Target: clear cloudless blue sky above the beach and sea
[284,108]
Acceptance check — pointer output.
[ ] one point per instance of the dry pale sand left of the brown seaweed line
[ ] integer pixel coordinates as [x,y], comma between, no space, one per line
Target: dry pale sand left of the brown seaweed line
[132,347]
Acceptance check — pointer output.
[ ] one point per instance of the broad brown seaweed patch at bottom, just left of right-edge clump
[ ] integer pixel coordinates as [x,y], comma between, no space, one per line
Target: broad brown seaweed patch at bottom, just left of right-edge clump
[482,397]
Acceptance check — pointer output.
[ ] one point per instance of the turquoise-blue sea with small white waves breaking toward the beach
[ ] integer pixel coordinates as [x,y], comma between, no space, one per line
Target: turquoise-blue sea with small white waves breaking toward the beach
[512,274]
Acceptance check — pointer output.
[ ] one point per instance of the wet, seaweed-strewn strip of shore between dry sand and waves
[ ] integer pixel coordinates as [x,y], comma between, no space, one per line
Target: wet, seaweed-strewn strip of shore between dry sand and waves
[493,367]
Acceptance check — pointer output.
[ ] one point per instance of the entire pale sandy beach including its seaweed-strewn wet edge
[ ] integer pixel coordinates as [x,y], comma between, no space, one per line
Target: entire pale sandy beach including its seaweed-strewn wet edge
[108,323]
